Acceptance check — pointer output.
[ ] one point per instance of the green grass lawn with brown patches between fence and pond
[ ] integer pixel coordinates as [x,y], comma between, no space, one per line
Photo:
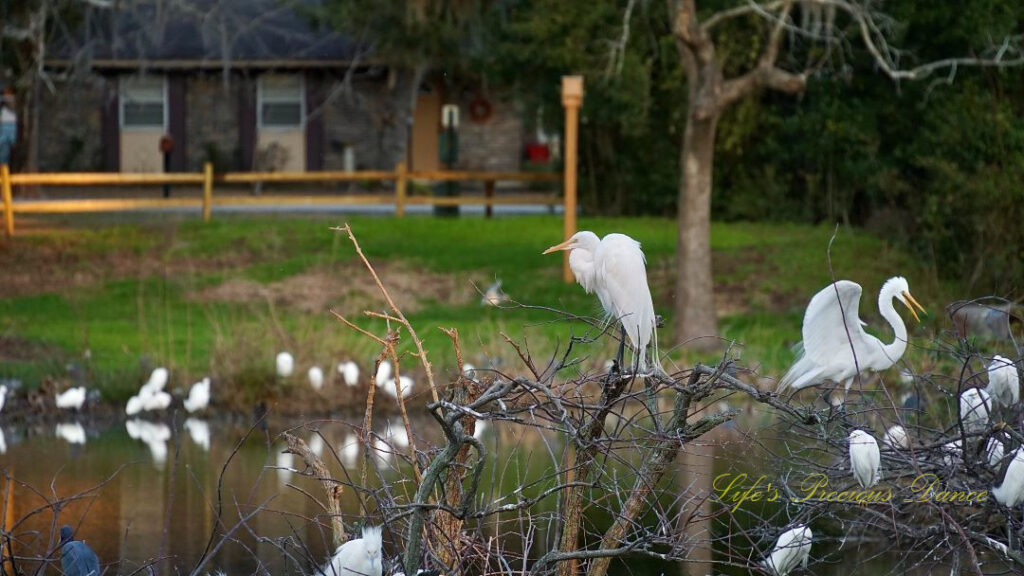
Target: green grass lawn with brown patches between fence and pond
[189,296]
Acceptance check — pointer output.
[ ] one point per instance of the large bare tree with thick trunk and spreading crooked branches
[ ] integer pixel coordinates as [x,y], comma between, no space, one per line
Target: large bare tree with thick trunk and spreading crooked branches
[829,24]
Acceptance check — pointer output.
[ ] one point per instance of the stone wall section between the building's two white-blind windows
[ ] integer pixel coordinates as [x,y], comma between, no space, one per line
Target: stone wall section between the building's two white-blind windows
[212,121]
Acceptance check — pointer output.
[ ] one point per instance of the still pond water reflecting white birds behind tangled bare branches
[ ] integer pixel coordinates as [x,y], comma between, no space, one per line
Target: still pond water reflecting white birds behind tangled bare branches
[148,492]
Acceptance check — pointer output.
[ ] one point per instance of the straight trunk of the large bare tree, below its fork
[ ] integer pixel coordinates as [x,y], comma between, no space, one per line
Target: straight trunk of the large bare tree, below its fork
[696,316]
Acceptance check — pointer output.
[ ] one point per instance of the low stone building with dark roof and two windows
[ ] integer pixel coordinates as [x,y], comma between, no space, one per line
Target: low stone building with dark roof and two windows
[249,86]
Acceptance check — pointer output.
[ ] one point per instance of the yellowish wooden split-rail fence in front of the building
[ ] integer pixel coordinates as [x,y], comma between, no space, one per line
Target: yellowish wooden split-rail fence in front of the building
[207,179]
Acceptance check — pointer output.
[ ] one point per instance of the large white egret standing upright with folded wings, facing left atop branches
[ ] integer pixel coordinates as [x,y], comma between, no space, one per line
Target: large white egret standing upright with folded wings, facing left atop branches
[615,270]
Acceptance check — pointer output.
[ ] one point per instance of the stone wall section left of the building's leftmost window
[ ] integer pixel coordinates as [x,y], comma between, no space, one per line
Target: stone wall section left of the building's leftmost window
[71,125]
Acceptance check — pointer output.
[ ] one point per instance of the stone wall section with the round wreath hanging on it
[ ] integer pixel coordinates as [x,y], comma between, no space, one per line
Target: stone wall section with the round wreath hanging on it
[494,144]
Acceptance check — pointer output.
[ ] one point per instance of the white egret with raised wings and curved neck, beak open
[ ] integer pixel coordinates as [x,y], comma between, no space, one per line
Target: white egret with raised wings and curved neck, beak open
[830,330]
